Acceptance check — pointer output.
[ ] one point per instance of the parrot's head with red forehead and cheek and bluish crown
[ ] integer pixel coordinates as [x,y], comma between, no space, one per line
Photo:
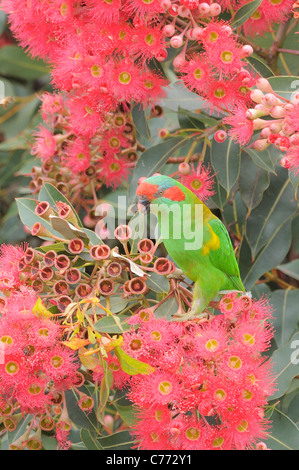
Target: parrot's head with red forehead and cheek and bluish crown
[159,189]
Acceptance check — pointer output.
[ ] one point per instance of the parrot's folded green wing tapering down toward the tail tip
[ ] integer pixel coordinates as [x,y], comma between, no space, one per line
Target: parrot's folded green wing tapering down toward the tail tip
[224,257]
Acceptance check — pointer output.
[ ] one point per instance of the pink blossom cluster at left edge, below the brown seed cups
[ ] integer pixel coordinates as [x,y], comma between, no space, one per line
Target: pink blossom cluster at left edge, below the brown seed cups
[32,356]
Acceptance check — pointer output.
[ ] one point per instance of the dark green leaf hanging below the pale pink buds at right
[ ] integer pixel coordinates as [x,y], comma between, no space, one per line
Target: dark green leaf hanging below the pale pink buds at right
[253,181]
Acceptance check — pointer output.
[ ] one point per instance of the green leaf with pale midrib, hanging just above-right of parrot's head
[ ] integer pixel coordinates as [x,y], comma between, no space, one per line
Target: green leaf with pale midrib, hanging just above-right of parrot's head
[225,160]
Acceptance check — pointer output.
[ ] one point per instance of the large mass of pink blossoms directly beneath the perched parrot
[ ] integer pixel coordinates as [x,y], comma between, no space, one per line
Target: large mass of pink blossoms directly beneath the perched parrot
[211,379]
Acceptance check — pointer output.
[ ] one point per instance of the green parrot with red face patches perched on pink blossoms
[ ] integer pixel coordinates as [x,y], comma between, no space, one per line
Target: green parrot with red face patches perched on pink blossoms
[209,259]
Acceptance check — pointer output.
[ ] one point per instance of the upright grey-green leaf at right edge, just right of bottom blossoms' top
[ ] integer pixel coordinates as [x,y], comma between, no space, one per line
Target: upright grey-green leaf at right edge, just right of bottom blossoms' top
[285,317]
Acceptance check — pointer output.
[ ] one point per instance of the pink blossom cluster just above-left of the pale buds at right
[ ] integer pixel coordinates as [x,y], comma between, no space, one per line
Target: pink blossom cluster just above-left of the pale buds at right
[219,72]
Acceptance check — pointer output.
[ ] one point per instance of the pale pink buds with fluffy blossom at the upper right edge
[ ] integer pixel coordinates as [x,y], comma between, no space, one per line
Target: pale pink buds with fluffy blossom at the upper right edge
[274,117]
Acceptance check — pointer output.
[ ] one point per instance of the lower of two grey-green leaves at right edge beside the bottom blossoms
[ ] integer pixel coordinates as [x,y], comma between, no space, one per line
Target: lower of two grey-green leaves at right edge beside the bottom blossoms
[285,365]
